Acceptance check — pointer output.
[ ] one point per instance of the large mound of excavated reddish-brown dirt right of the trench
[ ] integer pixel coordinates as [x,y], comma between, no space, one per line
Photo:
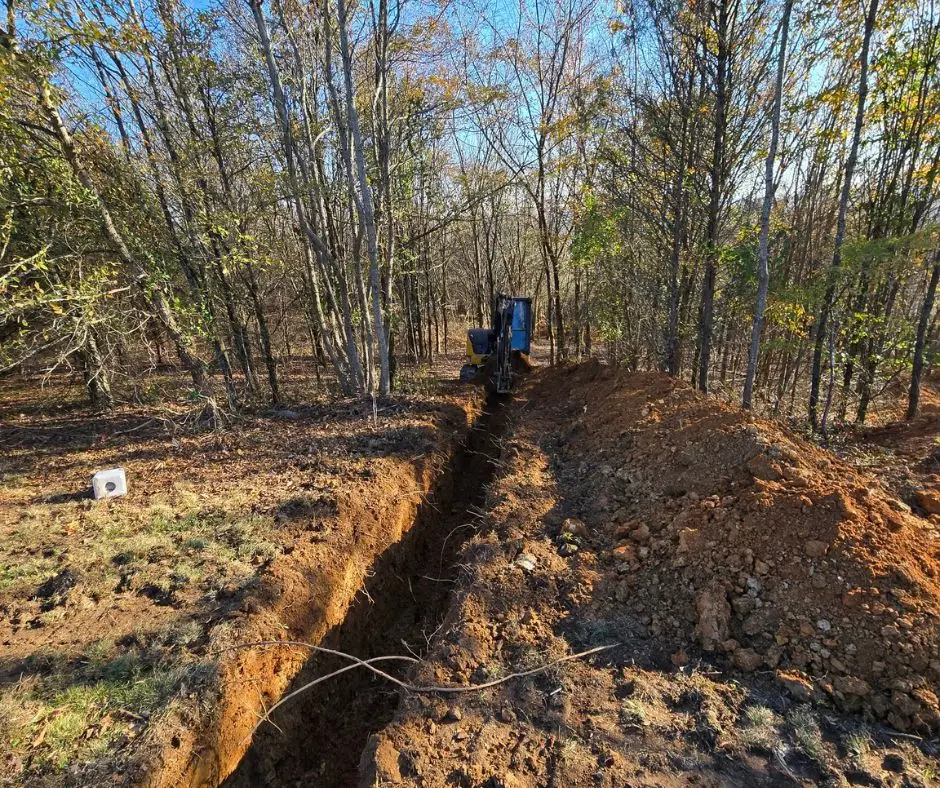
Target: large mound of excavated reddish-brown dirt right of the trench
[734,536]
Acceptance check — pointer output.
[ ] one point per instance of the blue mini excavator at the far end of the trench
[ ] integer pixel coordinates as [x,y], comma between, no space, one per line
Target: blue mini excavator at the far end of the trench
[507,340]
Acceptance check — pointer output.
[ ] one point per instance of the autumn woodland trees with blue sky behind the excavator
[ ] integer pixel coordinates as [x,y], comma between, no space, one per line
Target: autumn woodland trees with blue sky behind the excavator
[740,192]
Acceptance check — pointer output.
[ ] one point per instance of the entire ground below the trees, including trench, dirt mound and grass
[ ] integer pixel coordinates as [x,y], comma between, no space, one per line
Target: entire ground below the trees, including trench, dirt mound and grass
[775,606]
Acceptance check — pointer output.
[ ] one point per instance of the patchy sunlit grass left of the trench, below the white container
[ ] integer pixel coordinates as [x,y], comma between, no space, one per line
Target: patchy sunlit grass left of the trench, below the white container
[68,710]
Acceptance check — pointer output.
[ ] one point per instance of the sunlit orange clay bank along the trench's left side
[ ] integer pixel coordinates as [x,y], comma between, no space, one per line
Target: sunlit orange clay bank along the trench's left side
[300,597]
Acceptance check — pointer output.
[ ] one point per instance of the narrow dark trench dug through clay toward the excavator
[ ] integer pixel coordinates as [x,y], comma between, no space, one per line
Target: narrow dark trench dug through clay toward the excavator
[321,734]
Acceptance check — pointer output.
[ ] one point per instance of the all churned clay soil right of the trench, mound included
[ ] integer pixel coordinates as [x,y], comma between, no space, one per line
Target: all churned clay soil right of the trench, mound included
[708,543]
